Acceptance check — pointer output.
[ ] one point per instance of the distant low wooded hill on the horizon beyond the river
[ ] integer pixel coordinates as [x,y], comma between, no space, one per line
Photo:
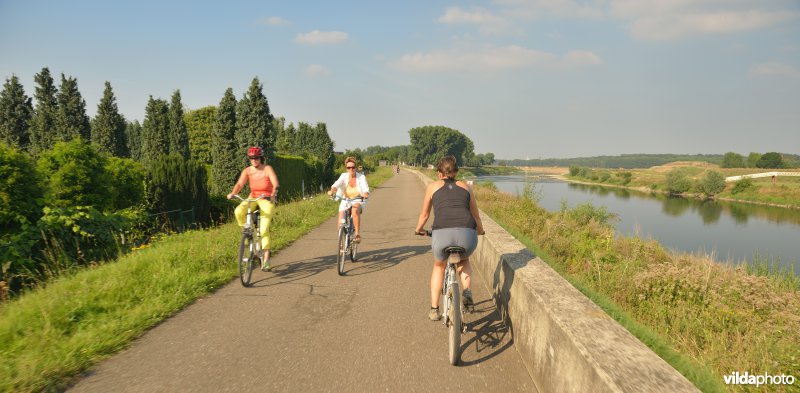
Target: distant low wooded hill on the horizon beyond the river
[629,161]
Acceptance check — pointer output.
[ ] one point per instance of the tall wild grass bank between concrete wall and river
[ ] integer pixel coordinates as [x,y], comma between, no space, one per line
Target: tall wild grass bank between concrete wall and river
[704,318]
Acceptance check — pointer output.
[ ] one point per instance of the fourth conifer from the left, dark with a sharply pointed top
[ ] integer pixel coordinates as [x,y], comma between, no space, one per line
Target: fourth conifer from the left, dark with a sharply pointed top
[108,126]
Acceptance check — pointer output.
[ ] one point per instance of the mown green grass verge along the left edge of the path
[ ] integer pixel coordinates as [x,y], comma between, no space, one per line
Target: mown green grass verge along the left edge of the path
[51,334]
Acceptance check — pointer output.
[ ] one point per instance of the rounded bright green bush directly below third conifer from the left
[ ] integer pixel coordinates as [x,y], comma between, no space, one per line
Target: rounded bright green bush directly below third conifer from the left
[77,176]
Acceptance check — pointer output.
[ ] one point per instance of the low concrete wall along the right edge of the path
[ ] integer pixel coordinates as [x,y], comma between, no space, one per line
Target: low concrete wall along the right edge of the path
[567,342]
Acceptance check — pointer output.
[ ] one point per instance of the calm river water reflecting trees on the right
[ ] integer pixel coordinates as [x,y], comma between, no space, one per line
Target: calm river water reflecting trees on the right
[731,231]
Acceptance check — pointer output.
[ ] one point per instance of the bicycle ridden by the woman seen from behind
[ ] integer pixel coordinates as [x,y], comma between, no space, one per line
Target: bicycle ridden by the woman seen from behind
[452,310]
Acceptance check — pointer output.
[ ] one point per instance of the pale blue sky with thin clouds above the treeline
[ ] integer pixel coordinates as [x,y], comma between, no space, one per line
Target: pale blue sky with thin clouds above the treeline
[521,78]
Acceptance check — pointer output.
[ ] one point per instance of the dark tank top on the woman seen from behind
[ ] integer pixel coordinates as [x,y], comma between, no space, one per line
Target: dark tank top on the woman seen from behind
[451,207]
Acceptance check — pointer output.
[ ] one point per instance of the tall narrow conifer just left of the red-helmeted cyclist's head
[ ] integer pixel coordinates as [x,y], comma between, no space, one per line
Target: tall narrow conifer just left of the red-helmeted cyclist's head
[227,157]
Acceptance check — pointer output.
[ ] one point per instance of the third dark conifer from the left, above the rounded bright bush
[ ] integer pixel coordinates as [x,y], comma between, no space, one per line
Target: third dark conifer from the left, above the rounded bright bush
[72,121]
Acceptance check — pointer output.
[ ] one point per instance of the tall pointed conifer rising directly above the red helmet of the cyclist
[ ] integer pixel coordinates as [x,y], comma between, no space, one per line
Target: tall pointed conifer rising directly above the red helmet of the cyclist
[254,120]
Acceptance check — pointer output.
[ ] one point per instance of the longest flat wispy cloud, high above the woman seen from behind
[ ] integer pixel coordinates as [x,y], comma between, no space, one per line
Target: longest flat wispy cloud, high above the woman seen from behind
[496,58]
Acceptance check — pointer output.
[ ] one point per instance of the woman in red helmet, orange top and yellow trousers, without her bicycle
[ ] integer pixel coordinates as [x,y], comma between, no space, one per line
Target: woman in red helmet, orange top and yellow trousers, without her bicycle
[263,181]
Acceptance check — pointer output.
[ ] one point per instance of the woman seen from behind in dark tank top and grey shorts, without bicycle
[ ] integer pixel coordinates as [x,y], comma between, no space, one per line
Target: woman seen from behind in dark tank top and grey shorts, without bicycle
[456,223]
